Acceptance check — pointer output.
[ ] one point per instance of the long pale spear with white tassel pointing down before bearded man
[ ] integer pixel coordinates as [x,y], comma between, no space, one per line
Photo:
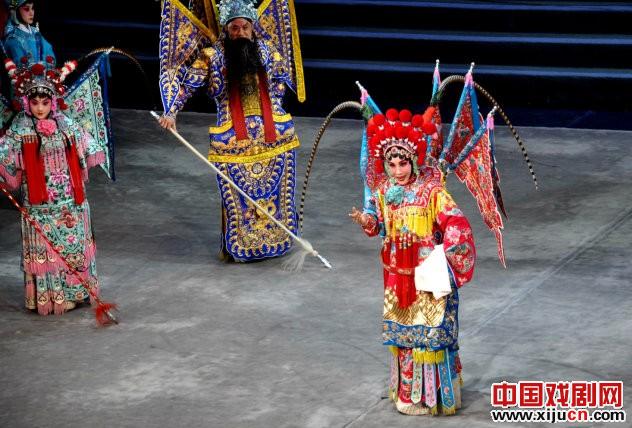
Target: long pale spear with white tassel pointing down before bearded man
[296,260]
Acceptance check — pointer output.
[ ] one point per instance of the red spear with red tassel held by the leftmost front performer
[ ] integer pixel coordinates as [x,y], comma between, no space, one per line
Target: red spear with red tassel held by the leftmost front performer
[103,310]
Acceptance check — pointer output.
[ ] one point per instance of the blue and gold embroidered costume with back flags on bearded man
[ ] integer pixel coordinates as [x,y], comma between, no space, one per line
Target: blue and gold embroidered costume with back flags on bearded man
[254,141]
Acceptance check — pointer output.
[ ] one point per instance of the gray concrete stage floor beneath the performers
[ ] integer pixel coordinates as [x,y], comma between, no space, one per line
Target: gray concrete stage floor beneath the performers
[204,344]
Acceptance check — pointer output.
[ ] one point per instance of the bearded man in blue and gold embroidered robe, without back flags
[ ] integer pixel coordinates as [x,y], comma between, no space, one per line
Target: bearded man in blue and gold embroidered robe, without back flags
[254,141]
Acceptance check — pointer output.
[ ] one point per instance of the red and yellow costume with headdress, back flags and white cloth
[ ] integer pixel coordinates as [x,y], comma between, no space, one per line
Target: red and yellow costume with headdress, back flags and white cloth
[415,219]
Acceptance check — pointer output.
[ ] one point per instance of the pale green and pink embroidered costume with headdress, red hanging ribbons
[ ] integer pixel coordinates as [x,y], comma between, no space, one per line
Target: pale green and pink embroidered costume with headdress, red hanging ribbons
[49,159]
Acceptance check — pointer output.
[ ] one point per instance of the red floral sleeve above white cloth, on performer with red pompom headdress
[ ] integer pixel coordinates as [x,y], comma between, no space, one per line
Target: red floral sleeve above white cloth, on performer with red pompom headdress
[458,241]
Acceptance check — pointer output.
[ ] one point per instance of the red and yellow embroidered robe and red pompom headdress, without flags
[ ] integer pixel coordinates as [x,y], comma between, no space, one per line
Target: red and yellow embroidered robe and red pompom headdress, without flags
[412,219]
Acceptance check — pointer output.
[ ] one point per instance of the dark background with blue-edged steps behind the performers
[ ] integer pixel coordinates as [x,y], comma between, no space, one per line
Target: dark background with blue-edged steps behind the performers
[562,63]
